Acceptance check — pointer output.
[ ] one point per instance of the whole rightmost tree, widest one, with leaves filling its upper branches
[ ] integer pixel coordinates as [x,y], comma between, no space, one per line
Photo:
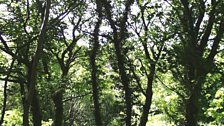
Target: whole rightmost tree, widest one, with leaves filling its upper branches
[196,55]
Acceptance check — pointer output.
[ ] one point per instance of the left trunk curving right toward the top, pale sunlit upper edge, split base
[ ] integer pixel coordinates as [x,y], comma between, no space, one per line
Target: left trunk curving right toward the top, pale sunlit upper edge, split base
[32,73]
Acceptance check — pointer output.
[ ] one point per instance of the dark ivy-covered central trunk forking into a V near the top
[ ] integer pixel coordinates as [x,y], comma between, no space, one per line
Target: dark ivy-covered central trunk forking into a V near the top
[118,37]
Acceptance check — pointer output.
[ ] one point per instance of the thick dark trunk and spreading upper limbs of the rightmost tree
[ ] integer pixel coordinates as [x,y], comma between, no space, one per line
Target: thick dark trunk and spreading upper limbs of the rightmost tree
[197,65]
